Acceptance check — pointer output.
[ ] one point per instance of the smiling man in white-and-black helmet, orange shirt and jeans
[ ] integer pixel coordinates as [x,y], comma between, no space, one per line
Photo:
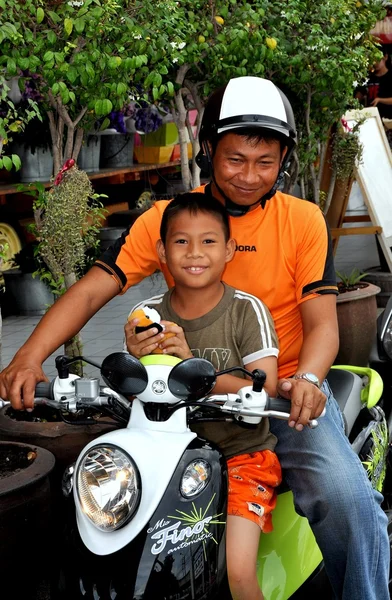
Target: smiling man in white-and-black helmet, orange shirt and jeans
[283,257]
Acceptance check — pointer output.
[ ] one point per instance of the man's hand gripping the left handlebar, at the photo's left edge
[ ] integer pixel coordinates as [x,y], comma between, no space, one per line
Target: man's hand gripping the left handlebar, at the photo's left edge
[18,381]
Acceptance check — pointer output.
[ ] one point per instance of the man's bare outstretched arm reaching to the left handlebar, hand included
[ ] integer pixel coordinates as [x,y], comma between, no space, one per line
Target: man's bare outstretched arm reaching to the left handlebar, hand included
[64,319]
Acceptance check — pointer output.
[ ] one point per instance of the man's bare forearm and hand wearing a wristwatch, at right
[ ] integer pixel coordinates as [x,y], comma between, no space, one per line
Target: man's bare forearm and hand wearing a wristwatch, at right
[319,349]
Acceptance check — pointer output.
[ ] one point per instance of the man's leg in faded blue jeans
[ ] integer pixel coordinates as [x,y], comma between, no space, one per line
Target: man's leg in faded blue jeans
[331,489]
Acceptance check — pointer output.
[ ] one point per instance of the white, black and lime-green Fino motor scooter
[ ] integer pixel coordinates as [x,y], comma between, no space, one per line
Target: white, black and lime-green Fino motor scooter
[150,499]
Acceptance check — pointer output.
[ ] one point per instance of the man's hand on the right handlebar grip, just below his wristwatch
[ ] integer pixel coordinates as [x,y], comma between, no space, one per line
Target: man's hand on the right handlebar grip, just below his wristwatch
[307,401]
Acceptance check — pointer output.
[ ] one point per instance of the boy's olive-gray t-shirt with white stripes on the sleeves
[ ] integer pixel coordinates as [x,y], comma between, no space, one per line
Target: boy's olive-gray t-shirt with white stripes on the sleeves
[238,331]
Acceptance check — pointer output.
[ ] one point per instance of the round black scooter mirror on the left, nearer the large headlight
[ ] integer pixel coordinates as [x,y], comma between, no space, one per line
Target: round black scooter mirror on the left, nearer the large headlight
[124,374]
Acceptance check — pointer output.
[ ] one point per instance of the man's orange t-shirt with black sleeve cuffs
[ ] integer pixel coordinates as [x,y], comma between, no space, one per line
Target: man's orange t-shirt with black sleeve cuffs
[283,256]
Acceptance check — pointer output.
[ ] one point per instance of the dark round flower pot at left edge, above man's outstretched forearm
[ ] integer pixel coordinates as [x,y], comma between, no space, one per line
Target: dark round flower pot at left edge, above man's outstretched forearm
[26,295]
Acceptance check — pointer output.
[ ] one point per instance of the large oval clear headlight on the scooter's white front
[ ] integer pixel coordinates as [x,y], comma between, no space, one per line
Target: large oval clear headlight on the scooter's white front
[108,487]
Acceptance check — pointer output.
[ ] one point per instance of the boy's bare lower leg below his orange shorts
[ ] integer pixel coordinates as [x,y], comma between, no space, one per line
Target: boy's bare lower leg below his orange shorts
[242,542]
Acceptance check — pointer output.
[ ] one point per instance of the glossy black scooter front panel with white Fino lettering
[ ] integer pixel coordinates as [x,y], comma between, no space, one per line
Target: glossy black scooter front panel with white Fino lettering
[179,554]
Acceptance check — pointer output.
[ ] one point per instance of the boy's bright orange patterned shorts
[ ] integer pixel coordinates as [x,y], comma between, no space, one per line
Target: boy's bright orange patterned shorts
[253,479]
